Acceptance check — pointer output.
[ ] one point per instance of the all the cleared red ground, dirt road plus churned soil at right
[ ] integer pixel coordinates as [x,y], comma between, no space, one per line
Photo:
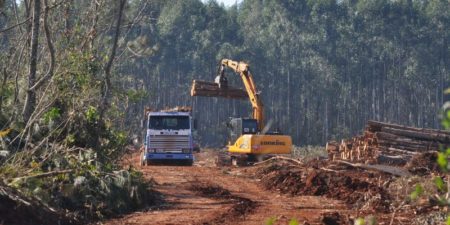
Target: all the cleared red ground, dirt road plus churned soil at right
[208,194]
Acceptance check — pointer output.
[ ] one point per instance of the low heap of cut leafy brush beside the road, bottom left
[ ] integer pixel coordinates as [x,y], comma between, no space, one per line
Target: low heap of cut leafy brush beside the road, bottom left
[89,188]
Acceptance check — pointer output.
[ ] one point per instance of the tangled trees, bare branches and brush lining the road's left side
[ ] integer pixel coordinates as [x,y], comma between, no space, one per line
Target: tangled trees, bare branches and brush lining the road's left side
[60,116]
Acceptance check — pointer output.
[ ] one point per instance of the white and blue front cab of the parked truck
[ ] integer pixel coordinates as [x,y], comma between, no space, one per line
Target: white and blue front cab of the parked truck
[168,138]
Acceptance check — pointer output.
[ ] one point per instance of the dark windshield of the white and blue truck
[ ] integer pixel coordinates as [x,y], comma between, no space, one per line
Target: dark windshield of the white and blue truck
[169,122]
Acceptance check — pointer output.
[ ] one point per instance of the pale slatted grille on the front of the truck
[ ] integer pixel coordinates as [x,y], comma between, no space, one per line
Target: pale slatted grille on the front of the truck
[169,142]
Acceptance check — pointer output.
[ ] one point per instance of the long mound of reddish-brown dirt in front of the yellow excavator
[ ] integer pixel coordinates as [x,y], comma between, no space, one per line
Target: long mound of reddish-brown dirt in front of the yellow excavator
[346,186]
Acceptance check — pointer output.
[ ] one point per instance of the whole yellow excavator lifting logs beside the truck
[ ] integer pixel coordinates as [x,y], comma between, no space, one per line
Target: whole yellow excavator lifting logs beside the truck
[247,136]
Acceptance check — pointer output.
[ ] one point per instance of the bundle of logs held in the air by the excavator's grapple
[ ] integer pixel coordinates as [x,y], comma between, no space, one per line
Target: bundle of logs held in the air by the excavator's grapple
[211,89]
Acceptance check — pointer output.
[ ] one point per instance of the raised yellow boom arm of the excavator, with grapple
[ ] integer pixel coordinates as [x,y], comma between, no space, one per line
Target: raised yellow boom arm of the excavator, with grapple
[243,70]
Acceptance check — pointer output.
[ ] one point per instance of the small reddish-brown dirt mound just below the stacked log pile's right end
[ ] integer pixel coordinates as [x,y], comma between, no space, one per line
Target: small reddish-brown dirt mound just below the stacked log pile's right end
[423,164]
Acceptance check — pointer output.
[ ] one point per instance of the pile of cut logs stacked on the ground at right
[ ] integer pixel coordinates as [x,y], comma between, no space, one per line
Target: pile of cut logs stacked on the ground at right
[386,143]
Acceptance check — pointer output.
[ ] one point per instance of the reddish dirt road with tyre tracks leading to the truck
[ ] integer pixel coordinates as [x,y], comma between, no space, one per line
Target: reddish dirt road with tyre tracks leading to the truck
[206,194]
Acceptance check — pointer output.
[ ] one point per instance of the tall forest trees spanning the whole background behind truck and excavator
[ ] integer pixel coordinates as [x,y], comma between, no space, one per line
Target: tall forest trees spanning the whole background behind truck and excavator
[323,67]
